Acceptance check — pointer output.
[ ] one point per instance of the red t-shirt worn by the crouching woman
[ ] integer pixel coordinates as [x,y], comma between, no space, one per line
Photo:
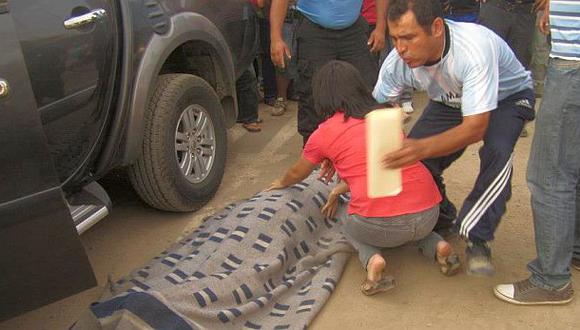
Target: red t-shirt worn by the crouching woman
[344,144]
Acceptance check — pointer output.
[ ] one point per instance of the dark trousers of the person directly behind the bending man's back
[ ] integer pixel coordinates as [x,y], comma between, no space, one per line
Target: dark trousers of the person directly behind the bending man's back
[514,23]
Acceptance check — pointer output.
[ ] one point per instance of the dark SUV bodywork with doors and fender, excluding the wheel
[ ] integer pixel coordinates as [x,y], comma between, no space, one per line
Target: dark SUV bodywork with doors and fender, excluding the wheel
[75,110]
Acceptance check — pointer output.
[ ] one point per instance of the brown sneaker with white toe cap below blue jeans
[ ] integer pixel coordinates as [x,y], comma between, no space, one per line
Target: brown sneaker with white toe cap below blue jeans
[526,293]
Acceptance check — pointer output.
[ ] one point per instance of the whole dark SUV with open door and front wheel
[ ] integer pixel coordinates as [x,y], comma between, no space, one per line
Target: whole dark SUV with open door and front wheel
[87,86]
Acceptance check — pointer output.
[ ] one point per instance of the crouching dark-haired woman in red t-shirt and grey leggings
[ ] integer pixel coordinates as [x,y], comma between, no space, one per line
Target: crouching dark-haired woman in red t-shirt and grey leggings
[342,98]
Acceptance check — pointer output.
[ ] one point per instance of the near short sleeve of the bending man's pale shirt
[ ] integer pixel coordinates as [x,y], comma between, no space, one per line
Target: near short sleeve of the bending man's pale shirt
[481,82]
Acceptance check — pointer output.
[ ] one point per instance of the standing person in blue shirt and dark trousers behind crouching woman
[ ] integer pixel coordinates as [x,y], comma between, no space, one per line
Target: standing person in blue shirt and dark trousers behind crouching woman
[325,30]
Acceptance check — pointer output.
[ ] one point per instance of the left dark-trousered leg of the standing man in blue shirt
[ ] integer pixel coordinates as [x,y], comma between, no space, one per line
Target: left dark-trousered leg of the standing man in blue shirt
[315,47]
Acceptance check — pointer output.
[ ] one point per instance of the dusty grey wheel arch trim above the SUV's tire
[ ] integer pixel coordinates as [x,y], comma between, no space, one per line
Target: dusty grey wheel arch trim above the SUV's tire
[193,45]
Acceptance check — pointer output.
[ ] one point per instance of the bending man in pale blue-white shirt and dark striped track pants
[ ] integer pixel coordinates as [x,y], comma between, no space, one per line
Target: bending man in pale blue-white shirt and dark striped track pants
[478,91]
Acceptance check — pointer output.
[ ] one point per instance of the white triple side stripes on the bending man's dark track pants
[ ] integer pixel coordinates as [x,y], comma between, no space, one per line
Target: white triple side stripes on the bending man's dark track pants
[488,197]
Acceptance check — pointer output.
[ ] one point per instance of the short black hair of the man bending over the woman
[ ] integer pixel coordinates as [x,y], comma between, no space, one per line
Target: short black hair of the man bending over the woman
[426,11]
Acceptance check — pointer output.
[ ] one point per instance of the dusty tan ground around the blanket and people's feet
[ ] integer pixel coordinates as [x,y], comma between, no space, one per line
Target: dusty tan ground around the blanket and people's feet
[134,233]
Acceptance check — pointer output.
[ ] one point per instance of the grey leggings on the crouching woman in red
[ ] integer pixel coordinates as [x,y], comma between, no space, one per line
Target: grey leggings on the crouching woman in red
[369,235]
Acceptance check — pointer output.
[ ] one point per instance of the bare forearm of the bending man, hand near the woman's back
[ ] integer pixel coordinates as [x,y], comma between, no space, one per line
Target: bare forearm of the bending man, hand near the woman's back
[471,130]
